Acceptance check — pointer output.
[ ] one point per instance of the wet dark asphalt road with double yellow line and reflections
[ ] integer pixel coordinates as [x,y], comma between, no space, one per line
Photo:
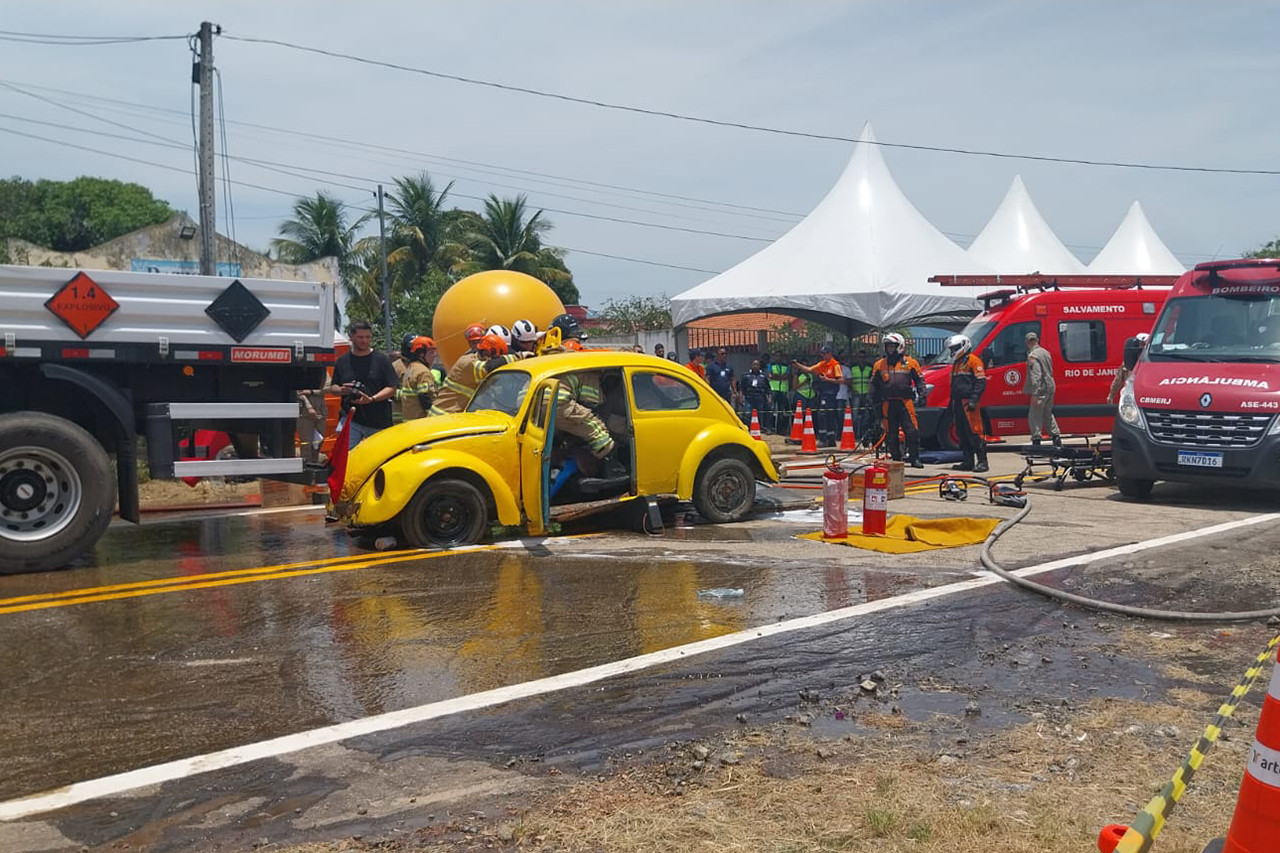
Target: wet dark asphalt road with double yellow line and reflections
[299,630]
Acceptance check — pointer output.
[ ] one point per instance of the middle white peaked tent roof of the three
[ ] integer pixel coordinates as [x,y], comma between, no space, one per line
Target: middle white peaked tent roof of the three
[1017,240]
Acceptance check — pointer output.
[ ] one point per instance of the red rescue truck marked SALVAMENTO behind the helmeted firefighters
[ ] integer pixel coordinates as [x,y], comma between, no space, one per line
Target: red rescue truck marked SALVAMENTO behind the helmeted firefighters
[1084,321]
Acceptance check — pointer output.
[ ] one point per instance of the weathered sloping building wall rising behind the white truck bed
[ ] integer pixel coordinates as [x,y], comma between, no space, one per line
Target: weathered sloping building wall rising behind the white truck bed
[166,245]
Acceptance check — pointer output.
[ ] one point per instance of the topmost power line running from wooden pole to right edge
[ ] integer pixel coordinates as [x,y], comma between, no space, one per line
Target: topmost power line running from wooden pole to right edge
[742,126]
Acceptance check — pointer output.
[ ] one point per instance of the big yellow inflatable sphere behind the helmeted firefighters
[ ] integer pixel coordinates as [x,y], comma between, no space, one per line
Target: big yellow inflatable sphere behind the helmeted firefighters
[493,297]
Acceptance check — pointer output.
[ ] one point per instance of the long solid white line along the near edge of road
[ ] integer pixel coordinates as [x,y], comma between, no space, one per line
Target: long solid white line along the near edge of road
[181,769]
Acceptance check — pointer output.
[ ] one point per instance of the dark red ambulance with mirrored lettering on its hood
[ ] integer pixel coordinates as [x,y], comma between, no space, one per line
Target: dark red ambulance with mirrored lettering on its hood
[1204,403]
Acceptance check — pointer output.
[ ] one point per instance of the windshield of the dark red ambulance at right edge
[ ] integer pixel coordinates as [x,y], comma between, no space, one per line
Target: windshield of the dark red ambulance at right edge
[1218,329]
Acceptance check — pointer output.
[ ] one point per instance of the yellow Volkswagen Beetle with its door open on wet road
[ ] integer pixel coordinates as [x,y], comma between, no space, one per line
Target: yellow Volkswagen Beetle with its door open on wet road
[444,481]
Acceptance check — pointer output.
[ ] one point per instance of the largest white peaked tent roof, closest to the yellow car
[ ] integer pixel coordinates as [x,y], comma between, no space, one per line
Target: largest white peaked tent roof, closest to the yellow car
[860,261]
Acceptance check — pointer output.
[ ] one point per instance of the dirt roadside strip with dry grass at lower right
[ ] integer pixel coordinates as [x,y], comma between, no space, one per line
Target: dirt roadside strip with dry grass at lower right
[893,784]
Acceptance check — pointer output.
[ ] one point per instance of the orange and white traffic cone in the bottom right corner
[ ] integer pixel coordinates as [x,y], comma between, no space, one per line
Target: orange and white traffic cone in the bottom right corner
[1256,825]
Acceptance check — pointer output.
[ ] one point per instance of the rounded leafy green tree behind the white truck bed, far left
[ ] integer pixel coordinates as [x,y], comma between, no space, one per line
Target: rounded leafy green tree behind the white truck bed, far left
[75,216]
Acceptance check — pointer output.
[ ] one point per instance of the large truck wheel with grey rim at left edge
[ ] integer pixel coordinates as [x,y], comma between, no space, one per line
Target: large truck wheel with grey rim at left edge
[57,492]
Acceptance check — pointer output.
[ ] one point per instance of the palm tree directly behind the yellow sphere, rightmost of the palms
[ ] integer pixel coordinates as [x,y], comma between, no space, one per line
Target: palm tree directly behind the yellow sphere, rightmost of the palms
[506,238]
